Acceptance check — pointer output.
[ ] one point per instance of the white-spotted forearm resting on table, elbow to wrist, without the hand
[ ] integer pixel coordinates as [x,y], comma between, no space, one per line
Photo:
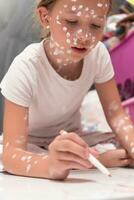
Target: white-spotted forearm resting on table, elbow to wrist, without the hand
[20,162]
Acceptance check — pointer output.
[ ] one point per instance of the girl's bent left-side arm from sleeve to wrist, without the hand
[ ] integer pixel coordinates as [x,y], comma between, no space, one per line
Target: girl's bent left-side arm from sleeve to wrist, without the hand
[16,158]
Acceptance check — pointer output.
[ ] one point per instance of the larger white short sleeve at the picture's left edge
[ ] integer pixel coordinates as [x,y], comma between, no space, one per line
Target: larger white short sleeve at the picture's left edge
[19,82]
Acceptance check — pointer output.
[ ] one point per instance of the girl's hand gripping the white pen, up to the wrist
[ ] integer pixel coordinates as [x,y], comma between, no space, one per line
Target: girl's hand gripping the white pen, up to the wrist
[67,152]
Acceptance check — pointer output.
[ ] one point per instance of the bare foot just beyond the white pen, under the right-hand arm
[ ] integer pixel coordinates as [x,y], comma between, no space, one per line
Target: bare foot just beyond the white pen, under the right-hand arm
[115,158]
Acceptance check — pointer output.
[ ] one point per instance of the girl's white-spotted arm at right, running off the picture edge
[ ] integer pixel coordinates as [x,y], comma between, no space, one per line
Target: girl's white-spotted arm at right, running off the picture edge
[117,119]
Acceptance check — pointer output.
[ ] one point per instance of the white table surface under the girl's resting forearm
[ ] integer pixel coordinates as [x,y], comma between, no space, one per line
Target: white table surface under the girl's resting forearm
[80,185]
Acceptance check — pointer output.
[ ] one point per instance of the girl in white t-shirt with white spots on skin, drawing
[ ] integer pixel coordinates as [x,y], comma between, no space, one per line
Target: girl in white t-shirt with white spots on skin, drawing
[45,86]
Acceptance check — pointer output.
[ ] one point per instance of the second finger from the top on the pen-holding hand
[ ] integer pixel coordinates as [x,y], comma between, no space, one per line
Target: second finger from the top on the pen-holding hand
[70,146]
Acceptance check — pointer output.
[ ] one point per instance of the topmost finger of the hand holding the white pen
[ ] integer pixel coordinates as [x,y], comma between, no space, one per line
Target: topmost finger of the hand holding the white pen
[74,137]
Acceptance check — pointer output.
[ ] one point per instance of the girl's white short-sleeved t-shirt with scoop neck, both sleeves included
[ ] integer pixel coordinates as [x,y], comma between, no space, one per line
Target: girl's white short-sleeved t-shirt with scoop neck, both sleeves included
[54,102]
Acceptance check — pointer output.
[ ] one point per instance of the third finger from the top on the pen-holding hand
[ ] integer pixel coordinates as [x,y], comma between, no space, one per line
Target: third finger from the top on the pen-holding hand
[64,156]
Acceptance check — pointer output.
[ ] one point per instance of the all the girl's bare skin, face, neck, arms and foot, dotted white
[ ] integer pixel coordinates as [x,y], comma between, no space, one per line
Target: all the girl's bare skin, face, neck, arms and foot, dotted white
[73,36]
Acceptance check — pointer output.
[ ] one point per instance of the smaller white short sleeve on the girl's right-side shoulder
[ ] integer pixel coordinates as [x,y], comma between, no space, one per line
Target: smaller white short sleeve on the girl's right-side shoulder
[104,71]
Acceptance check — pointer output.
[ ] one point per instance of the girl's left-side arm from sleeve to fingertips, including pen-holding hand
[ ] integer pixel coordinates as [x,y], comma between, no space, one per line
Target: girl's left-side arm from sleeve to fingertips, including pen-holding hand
[66,152]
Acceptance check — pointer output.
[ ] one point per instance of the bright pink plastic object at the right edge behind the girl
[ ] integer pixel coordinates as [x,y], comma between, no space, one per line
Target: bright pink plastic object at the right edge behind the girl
[123,61]
